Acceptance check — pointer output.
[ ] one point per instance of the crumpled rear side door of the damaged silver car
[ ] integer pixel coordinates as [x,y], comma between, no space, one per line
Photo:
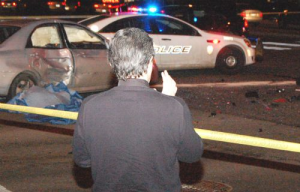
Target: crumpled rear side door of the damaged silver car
[47,55]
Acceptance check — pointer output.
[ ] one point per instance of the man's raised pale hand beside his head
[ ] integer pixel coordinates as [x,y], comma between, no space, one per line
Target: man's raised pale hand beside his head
[169,85]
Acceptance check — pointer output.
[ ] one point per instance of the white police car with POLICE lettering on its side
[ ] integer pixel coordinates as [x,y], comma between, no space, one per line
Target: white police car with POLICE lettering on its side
[178,44]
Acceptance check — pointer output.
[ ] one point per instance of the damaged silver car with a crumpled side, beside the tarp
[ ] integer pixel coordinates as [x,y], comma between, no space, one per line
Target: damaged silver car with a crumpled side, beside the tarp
[39,52]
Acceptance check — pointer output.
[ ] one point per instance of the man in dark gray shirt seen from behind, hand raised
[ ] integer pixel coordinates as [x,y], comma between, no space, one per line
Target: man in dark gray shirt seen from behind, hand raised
[133,136]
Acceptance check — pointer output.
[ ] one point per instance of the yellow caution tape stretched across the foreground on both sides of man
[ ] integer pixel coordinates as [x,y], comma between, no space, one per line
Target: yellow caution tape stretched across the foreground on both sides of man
[205,134]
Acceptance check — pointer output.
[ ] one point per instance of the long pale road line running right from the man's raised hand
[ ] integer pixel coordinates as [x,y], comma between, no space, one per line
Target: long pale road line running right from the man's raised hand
[233,84]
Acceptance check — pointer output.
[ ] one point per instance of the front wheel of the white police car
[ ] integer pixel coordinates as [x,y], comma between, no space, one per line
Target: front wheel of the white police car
[230,61]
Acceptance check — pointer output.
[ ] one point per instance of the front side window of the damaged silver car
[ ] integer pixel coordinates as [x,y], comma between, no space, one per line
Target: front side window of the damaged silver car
[81,38]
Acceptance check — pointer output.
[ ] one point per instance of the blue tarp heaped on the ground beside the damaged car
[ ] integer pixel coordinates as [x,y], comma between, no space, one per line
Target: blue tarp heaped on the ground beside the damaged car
[58,97]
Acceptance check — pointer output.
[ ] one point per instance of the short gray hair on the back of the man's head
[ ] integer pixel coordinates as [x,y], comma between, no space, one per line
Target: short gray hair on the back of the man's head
[129,52]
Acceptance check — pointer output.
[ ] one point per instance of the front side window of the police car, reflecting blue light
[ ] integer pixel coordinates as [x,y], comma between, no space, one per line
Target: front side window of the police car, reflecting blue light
[173,27]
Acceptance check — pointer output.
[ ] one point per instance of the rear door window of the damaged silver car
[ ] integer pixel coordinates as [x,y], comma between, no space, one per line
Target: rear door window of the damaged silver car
[46,37]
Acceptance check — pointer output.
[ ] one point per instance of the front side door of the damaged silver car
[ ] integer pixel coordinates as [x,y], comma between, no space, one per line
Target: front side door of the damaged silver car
[89,51]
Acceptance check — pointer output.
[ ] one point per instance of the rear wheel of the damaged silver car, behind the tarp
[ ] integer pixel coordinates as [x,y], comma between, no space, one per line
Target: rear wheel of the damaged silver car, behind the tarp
[21,83]
